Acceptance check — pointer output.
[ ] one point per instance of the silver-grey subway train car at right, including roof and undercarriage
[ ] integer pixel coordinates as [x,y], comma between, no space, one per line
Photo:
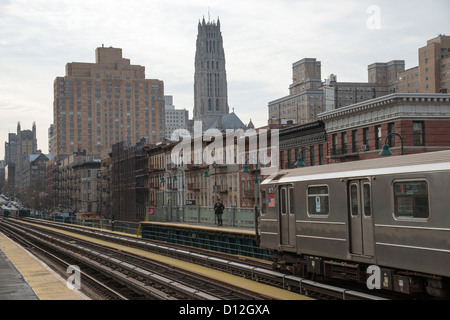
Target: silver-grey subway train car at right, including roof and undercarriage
[384,221]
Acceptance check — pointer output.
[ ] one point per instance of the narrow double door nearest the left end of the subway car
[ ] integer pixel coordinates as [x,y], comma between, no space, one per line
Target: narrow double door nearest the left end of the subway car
[287,216]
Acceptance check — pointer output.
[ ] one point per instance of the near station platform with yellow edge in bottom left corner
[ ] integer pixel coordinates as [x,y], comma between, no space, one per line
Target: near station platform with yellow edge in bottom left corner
[24,277]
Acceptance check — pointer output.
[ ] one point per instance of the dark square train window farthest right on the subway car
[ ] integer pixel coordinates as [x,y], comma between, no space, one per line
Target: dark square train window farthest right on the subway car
[411,199]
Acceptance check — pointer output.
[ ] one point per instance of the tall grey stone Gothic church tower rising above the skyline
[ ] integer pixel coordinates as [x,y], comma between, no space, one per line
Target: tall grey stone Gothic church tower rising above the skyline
[210,83]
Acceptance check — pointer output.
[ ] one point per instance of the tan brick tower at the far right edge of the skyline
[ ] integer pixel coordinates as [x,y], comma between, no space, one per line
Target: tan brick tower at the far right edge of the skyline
[432,75]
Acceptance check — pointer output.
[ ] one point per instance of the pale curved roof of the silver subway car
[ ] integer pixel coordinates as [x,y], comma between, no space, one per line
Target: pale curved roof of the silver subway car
[423,162]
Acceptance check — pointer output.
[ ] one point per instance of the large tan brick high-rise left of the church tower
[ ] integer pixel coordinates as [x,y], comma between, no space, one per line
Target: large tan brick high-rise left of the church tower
[99,104]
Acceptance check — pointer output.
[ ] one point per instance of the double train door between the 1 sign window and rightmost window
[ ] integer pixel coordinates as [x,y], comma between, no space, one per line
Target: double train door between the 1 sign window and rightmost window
[360,218]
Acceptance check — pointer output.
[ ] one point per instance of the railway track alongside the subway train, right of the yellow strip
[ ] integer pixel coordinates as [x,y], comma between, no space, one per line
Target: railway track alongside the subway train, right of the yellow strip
[256,270]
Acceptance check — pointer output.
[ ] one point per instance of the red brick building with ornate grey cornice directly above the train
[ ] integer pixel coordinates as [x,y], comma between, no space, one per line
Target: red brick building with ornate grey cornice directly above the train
[358,131]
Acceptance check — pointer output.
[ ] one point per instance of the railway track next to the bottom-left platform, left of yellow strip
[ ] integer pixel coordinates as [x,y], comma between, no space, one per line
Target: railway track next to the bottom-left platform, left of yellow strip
[147,279]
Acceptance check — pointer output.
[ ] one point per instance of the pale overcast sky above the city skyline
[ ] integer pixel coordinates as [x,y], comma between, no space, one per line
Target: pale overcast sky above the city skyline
[262,40]
